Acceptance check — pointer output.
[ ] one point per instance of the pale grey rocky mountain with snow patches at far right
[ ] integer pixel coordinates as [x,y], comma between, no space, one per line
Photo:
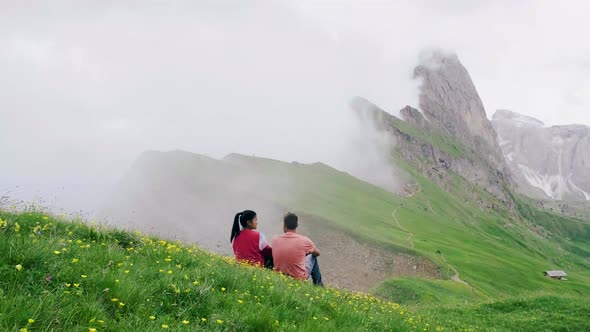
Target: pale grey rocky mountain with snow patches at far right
[552,162]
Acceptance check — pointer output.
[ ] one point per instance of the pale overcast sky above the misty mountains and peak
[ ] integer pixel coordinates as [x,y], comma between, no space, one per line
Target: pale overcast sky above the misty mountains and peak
[85,86]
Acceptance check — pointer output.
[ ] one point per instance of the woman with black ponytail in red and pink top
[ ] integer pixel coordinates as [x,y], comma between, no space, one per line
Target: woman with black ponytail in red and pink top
[250,245]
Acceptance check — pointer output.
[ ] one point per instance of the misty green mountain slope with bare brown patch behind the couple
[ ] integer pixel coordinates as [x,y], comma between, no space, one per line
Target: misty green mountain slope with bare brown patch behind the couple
[369,234]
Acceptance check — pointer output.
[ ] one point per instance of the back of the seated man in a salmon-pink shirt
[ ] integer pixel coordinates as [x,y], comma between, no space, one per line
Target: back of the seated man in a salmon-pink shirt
[289,251]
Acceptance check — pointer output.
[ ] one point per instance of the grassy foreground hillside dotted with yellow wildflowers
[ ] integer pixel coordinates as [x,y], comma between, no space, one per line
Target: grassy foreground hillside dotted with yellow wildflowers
[60,275]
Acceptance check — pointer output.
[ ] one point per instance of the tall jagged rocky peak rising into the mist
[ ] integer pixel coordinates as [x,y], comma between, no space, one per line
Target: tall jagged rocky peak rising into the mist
[451,133]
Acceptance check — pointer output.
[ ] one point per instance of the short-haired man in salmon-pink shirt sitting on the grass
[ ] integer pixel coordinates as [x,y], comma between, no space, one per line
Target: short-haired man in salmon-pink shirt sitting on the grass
[294,254]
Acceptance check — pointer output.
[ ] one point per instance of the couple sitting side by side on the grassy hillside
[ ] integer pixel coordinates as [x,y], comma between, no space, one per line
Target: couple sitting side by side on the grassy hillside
[290,253]
